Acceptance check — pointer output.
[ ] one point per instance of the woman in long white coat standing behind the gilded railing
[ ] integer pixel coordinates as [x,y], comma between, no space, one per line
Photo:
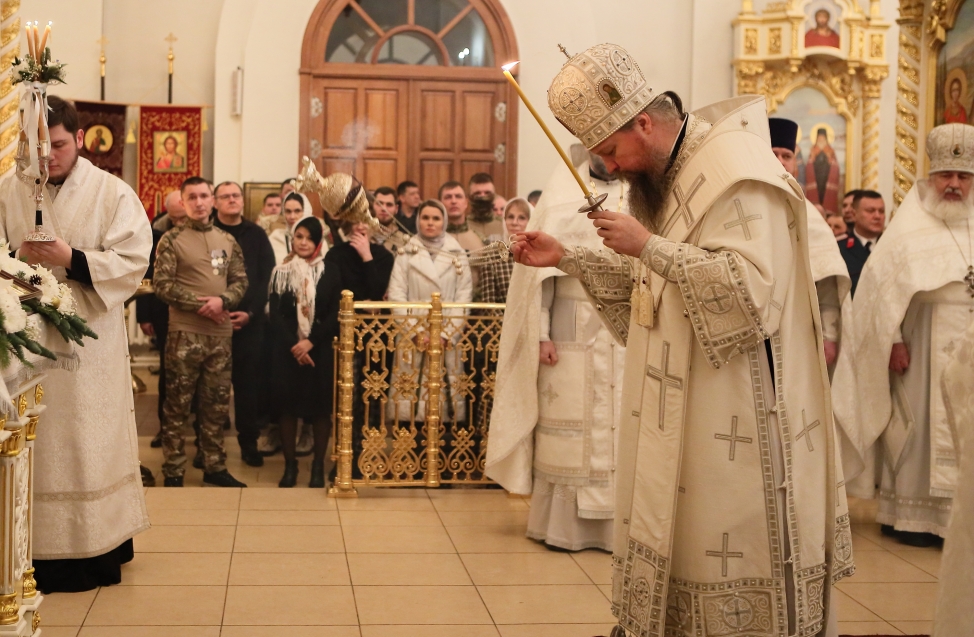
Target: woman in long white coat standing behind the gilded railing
[432,261]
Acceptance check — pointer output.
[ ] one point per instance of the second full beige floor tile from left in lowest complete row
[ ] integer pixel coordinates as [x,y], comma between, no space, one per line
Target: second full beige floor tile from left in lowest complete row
[306,606]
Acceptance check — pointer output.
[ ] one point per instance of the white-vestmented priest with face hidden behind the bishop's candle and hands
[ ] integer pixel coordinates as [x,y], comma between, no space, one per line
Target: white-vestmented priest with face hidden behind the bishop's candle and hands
[554,426]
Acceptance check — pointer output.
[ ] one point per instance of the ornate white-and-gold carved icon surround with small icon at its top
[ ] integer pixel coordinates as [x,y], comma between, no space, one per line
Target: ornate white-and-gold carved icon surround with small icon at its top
[782,51]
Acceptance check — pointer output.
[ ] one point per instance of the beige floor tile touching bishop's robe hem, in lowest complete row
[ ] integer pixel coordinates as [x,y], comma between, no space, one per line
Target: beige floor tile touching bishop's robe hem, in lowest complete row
[546,604]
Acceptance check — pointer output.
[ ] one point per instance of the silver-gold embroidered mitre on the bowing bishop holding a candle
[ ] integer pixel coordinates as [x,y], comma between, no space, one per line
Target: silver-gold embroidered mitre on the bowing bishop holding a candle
[597,92]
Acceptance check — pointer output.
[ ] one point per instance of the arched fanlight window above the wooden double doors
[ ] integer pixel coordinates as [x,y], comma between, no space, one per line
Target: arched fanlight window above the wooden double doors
[415,32]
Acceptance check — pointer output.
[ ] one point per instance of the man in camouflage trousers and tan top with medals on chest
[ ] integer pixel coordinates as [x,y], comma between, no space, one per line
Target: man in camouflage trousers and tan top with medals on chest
[199,273]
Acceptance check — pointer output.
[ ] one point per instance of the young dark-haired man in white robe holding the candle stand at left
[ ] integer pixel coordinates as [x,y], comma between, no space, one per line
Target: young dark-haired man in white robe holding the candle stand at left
[88,500]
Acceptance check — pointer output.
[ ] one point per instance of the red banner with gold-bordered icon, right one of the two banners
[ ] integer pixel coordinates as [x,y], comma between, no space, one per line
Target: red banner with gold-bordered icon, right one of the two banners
[170,151]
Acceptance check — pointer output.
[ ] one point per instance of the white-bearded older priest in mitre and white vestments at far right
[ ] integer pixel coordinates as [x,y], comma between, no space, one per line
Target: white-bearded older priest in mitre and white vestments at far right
[914,301]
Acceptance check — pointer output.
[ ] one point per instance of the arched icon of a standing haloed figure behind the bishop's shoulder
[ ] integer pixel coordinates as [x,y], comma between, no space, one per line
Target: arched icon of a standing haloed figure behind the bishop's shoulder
[821,146]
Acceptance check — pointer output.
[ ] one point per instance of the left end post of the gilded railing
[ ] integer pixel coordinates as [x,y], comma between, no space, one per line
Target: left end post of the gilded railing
[346,385]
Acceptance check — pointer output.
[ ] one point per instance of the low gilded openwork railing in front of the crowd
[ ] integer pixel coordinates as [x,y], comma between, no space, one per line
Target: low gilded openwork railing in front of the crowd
[414,385]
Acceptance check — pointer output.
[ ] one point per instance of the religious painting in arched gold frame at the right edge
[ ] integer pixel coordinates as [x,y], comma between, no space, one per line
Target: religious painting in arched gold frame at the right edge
[955,71]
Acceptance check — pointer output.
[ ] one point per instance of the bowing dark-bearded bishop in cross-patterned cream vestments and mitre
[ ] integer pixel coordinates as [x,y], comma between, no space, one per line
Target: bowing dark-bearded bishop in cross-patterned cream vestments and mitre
[730,517]
